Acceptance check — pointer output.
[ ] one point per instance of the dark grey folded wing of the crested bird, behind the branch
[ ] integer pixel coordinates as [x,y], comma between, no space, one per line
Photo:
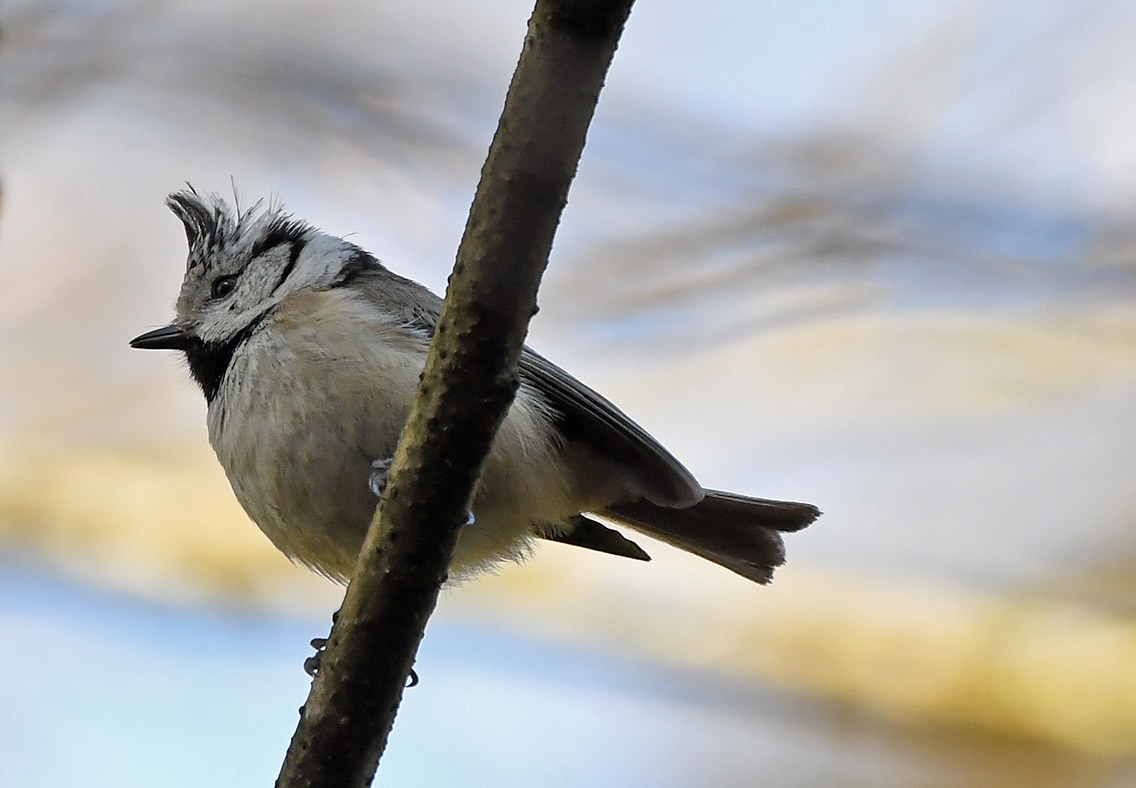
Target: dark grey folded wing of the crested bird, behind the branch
[582,415]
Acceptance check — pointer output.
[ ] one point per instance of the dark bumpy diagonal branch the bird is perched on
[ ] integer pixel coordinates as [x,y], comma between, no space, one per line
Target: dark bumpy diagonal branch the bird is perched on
[467,388]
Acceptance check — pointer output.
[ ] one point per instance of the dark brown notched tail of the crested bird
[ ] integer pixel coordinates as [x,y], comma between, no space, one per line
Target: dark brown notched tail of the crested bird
[738,533]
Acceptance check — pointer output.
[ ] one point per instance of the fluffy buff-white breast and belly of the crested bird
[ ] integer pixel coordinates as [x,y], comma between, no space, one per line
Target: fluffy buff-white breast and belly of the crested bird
[321,391]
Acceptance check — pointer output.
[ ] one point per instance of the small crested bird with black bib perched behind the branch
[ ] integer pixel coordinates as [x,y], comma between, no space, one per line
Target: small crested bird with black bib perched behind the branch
[308,351]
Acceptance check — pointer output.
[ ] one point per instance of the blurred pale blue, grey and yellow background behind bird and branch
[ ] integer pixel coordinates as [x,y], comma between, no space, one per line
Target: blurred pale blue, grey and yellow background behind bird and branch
[876,256]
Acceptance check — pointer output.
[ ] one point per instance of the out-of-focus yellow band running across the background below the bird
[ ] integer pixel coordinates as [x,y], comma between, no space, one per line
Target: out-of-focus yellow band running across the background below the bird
[916,653]
